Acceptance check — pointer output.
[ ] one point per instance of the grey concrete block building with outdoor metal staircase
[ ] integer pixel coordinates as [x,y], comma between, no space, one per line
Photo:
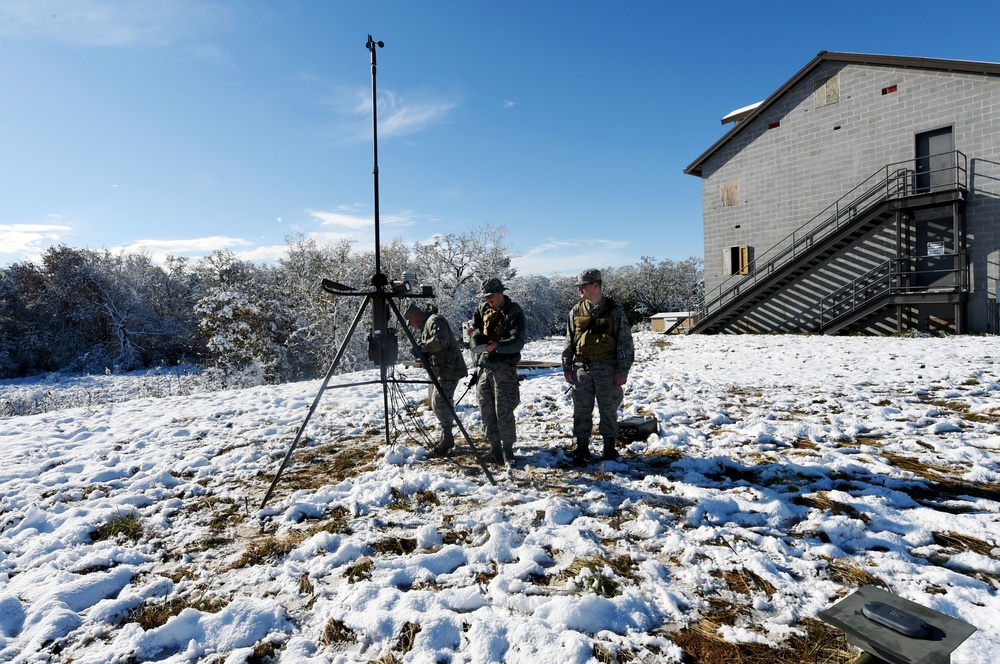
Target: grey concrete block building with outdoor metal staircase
[863,196]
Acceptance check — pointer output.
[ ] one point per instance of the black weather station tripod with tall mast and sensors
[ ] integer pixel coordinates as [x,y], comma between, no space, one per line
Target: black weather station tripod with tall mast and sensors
[383,345]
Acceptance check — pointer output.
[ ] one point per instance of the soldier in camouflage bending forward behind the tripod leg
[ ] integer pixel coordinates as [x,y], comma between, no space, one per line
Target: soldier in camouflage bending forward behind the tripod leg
[444,355]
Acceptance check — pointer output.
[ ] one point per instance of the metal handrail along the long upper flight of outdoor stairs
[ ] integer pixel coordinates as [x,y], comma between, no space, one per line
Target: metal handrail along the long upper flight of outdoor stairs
[891,182]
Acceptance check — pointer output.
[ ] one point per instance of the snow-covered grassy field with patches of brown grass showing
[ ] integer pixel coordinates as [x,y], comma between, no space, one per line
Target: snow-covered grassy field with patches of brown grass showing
[787,470]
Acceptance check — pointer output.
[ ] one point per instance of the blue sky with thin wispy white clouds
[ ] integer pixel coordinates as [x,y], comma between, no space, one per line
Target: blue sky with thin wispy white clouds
[185,126]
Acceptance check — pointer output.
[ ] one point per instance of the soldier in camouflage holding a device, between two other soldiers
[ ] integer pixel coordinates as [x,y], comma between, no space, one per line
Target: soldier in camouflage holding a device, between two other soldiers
[498,336]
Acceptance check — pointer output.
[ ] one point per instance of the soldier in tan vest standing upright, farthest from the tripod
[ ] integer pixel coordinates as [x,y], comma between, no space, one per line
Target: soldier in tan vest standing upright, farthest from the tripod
[596,360]
